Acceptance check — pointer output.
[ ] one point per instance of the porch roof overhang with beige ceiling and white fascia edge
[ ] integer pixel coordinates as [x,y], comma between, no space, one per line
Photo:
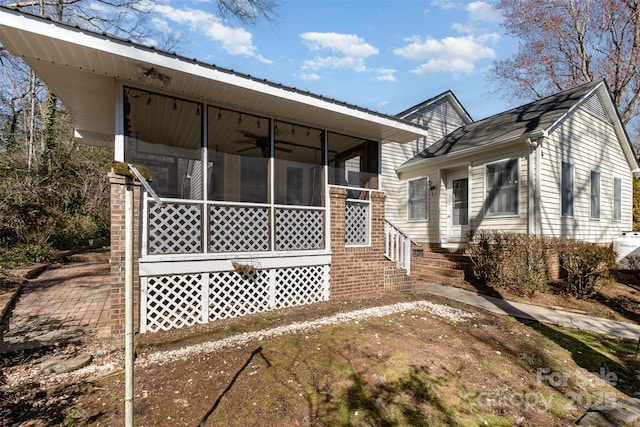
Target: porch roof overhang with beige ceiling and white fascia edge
[83,69]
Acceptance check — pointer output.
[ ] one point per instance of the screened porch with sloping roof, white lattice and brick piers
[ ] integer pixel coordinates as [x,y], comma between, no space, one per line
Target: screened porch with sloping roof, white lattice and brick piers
[269,196]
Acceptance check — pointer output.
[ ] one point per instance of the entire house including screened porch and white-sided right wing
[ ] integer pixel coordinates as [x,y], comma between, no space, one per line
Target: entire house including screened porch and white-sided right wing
[270,197]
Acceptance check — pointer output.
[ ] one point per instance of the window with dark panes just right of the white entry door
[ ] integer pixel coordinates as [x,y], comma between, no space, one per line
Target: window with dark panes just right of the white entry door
[502,188]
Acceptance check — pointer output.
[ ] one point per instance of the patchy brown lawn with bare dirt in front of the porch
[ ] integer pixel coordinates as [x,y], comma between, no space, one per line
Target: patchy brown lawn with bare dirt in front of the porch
[411,367]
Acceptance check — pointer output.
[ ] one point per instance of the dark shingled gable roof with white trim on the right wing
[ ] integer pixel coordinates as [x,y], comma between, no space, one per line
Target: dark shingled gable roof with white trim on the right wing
[531,120]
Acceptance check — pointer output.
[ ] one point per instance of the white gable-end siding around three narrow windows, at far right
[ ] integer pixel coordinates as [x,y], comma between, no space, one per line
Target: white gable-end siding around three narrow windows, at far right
[588,143]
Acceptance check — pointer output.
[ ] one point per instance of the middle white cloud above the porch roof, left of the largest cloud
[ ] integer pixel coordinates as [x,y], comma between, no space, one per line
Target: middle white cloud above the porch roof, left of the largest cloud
[351,51]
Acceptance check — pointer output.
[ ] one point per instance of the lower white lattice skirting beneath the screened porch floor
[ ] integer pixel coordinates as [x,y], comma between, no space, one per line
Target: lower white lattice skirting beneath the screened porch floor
[173,302]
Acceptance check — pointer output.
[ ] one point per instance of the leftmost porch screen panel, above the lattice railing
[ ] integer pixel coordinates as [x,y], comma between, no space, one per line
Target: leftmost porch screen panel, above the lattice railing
[164,134]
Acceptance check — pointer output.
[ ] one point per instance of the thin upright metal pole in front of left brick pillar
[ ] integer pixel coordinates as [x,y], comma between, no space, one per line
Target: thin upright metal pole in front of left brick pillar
[128,301]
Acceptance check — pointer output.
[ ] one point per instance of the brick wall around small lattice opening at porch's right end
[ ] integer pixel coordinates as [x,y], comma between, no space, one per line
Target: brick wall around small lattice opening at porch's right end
[356,271]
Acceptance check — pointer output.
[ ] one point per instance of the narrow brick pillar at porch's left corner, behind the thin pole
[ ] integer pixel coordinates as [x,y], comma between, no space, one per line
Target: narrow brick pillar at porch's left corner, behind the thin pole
[116,293]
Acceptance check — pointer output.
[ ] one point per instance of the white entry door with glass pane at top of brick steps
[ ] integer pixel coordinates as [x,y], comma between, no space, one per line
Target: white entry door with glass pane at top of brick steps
[457,206]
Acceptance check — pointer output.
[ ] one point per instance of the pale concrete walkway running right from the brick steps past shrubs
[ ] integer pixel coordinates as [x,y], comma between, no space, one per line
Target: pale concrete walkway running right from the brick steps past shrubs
[535,312]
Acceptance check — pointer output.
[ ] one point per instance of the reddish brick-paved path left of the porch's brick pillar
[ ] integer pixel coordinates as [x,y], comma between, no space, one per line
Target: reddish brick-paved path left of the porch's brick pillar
[64,304]
